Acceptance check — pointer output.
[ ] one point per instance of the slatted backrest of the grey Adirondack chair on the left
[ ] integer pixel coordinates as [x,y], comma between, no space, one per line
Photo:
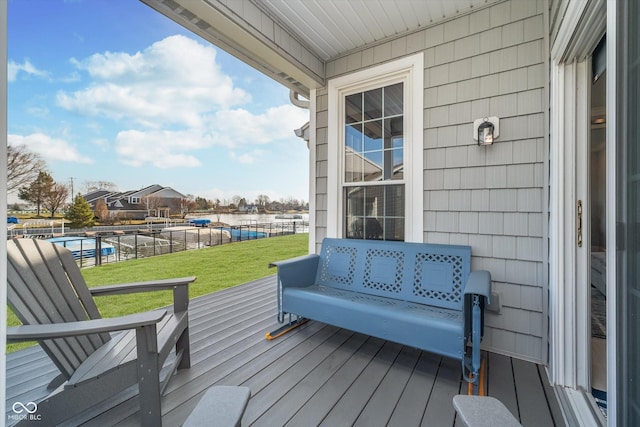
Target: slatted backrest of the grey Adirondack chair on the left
[46,286]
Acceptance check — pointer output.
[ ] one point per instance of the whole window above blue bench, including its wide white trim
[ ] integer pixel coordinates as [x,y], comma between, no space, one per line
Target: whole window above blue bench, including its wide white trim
[375,169]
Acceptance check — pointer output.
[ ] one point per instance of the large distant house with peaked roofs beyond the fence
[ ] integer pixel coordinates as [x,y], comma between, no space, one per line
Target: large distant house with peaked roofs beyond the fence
[154,200]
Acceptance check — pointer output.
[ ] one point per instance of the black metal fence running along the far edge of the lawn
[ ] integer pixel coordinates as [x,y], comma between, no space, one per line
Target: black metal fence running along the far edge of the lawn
[114,244]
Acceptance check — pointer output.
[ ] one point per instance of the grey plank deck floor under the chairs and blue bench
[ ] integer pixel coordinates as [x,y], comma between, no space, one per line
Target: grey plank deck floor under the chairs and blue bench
[315,375]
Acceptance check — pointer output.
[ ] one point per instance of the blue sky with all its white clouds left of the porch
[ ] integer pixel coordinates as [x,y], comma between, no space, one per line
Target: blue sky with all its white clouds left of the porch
[110,90]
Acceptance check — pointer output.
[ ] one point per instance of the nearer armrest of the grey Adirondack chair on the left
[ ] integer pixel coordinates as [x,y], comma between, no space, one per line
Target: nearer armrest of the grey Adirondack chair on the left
[84,327]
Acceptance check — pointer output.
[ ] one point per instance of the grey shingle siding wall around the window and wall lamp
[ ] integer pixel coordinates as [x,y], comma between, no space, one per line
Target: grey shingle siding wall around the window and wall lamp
[487,63]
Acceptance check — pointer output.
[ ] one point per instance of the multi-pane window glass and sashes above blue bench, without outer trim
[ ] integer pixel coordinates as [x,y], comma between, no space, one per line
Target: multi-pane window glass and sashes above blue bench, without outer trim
[374,164]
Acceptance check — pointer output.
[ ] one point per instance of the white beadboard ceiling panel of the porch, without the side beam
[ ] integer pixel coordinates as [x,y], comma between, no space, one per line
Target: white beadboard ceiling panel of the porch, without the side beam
[331,28]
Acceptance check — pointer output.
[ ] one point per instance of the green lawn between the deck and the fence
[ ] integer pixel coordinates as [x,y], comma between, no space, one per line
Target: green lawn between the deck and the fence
[216,268]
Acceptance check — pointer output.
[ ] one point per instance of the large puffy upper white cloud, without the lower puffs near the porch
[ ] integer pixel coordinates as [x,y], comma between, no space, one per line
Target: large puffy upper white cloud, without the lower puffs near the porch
[174,81]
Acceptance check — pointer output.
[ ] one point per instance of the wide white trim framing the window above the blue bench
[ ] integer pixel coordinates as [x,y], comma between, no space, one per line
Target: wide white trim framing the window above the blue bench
[410,70]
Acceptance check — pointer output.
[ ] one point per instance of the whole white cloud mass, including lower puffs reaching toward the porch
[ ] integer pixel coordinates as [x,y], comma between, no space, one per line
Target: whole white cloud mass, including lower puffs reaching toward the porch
[176,101]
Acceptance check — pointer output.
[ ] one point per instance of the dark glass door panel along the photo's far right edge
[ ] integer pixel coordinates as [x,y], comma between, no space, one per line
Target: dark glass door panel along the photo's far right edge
[627,237]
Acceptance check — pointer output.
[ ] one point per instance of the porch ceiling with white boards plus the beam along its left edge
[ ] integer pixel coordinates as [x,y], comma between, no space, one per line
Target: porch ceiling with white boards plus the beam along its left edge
[291,40]
